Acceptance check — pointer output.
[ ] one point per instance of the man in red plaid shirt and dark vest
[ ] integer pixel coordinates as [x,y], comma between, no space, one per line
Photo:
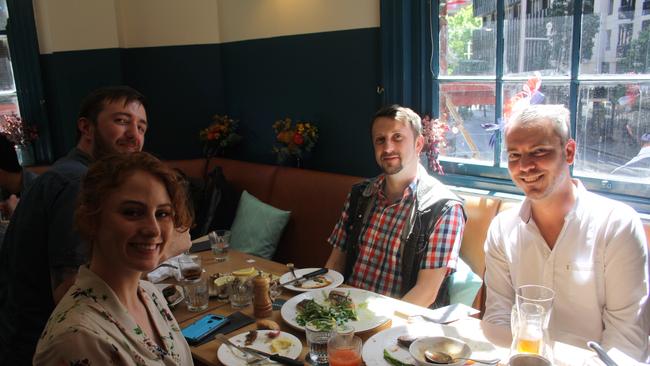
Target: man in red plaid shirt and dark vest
[378,258]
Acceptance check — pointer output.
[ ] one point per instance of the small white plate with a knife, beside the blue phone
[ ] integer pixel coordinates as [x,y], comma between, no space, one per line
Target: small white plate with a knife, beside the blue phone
[230,356]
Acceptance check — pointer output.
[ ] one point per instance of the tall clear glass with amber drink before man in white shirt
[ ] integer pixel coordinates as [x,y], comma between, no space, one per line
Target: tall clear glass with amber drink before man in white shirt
[529,321]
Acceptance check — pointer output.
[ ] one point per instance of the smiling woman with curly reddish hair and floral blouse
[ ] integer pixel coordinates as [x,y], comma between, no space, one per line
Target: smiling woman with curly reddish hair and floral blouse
[128,206]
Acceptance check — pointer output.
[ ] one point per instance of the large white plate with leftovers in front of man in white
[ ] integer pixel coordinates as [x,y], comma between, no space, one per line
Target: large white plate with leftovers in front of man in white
[373,348]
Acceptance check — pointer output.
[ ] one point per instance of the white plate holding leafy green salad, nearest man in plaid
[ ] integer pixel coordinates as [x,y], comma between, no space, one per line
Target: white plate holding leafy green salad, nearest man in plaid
[373,309]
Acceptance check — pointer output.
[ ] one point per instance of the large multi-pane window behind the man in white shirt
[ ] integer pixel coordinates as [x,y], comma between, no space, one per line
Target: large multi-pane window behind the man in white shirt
[608,92]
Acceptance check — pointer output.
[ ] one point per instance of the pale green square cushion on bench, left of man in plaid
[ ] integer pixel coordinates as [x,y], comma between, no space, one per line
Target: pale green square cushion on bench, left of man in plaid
[257,226]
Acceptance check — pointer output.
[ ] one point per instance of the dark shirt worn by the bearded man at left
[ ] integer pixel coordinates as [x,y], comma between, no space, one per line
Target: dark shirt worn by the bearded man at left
[40,237]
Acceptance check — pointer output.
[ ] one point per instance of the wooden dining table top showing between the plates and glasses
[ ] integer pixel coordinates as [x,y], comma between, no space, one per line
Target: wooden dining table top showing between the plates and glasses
[478,333]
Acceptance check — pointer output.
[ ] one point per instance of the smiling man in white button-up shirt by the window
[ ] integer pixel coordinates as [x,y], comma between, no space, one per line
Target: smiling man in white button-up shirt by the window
[589,249]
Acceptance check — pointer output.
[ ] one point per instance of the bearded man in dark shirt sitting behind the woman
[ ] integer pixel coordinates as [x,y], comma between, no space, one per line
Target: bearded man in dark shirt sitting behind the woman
[42,251]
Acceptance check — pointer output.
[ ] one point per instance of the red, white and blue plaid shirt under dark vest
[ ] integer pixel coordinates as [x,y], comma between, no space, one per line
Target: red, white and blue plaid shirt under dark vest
[378,265]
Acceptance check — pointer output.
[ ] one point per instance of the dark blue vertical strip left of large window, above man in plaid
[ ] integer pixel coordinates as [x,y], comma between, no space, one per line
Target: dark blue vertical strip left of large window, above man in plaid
[406,47]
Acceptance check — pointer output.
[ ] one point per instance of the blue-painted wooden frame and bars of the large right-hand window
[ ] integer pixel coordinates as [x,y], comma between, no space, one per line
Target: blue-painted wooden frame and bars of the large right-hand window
[491,177]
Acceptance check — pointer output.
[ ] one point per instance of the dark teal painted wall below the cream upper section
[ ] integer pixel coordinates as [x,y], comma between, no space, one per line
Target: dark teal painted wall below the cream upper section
[327,78]
